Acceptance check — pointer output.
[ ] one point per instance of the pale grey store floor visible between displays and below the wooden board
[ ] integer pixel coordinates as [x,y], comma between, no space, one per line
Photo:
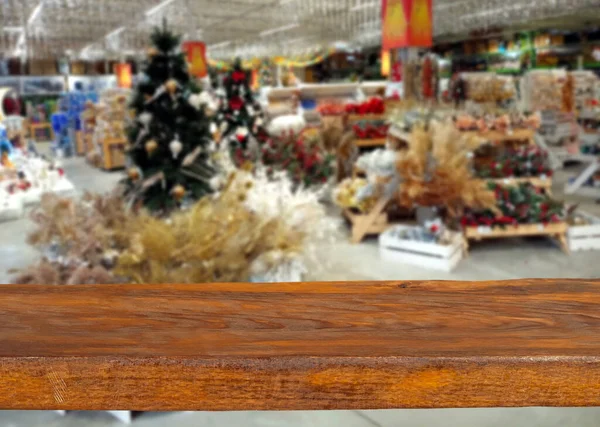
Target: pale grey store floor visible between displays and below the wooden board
[521,258]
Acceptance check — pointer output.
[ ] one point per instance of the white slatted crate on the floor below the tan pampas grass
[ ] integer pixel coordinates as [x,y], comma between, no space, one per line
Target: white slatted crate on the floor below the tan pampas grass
[422,254]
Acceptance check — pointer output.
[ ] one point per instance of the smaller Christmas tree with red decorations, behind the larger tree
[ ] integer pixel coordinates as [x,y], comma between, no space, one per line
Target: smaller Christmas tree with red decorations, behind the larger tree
[240,118]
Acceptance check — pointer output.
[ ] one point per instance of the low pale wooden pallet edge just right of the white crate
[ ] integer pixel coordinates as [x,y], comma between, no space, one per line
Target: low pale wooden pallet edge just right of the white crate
[555,230]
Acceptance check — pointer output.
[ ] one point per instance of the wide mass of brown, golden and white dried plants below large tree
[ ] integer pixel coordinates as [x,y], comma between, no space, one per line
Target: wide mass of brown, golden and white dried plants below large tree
[257,228]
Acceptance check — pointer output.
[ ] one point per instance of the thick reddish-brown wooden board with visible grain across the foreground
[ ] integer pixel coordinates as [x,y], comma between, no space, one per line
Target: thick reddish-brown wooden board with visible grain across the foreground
[364,345]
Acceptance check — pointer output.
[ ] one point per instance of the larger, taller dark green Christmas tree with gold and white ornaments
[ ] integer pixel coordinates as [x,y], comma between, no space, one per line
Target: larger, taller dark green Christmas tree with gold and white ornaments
[171,133]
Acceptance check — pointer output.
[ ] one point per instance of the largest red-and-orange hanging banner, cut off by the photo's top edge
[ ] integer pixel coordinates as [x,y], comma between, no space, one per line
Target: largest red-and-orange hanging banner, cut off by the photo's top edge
[407,23]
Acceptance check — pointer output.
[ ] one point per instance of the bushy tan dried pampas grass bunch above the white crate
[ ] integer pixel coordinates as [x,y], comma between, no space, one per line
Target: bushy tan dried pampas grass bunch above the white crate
[436,171]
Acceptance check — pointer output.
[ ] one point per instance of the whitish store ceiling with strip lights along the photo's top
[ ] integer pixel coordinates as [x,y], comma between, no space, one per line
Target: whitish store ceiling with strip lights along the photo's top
[248,28]
